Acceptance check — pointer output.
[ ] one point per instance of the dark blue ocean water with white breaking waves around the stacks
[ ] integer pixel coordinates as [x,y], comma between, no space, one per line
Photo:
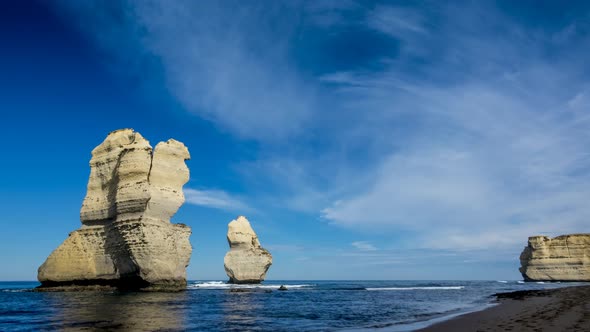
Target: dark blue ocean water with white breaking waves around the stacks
[217,306]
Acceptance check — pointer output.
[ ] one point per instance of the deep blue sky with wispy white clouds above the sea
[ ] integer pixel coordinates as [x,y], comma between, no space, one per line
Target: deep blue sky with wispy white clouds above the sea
[363,140]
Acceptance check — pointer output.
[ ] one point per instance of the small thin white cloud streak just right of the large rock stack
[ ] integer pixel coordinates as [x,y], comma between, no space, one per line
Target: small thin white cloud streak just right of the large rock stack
[216,199]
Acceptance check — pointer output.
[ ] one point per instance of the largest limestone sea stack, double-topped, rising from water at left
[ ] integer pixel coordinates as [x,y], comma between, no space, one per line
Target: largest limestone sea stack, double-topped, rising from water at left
[126,239]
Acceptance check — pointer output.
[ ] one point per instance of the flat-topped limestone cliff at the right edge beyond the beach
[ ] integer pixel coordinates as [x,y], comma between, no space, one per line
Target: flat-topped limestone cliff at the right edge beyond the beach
[563,258]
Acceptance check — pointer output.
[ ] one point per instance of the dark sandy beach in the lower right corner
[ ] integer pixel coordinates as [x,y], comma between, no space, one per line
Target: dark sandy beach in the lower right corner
[565,309]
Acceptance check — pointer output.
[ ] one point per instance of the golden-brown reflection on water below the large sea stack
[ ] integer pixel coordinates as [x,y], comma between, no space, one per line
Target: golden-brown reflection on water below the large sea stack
[119,311]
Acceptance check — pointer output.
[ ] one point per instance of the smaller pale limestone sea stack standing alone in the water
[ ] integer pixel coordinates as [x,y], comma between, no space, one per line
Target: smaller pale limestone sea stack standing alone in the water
[246,262]
